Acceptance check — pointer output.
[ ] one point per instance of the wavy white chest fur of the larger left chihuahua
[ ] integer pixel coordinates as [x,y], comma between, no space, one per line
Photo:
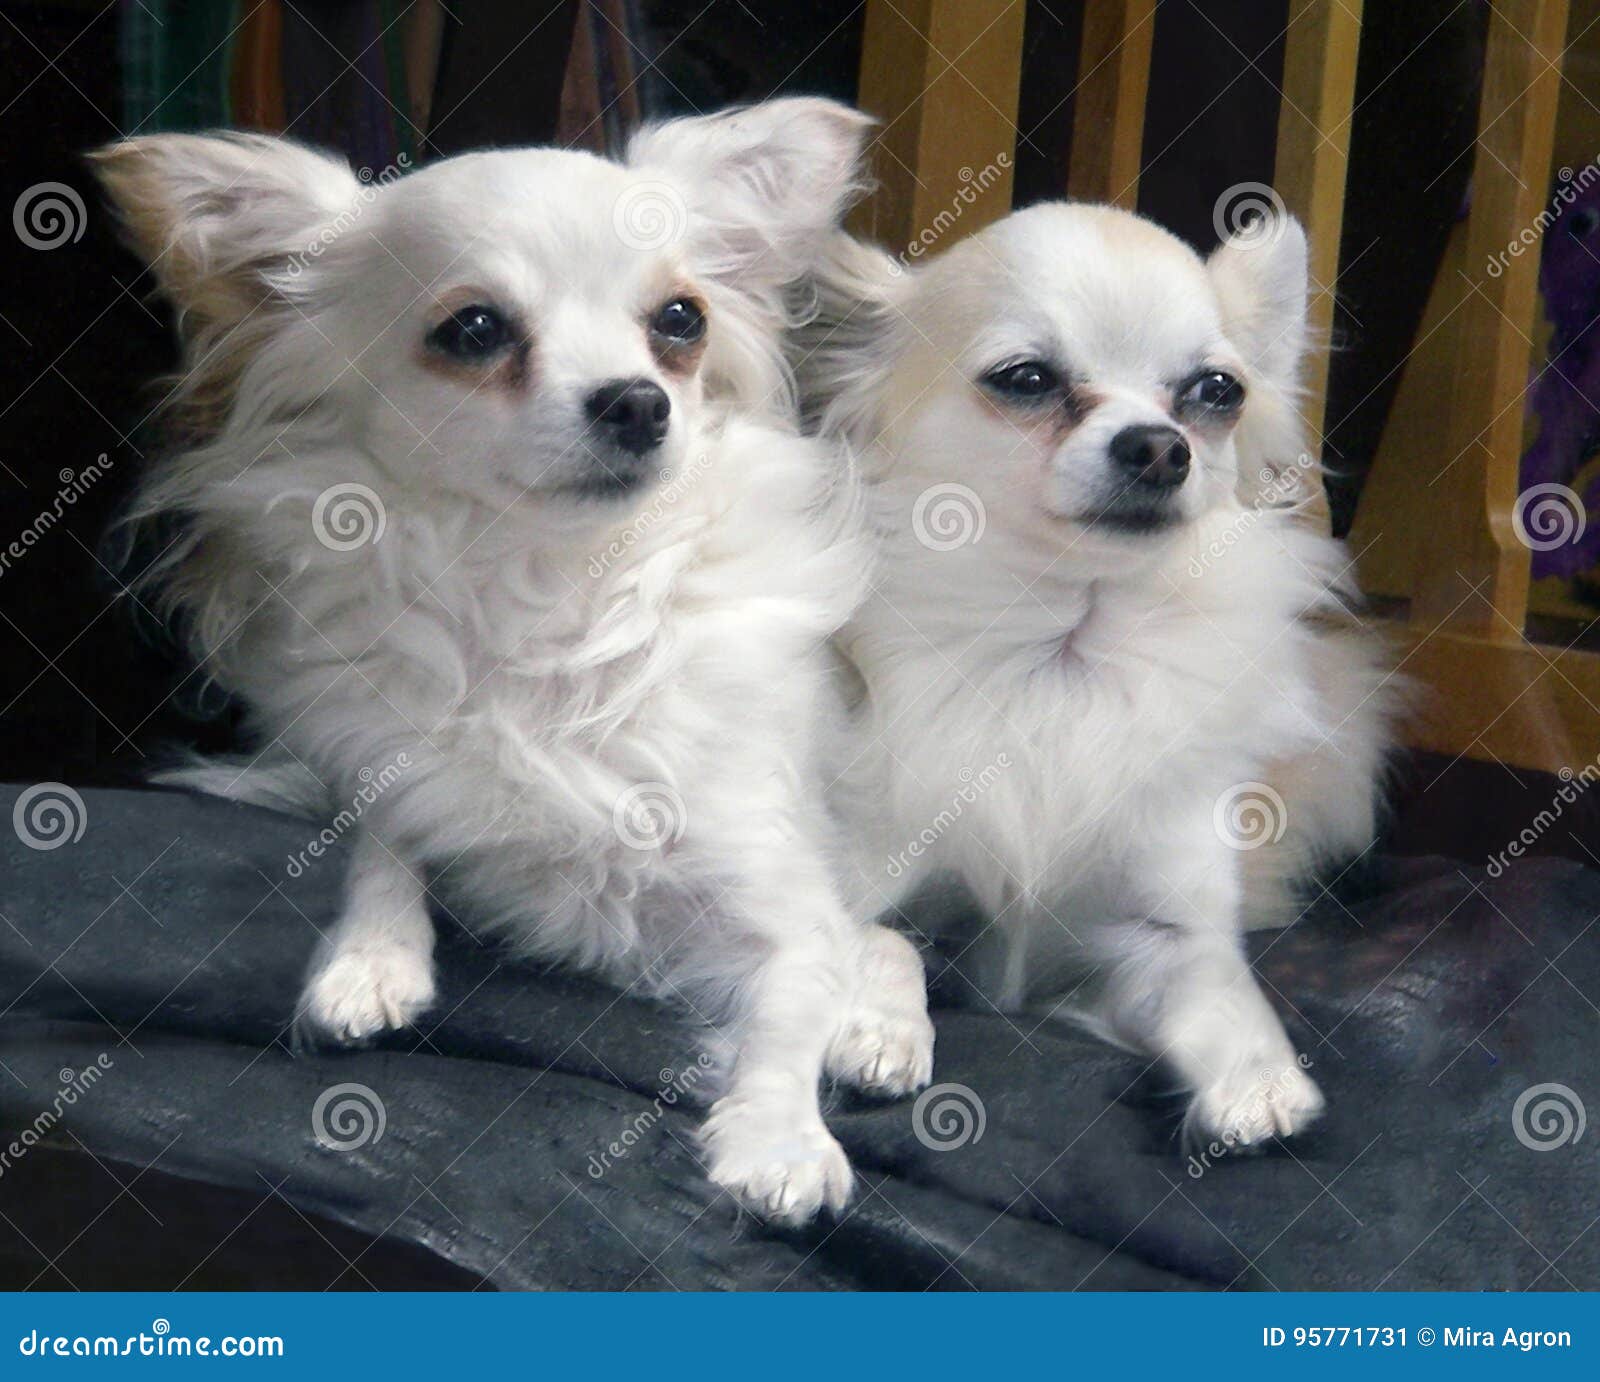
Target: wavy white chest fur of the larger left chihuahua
[590,725]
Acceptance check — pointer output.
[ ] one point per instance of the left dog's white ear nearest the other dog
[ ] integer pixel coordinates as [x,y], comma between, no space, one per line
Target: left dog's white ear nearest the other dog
[762,185]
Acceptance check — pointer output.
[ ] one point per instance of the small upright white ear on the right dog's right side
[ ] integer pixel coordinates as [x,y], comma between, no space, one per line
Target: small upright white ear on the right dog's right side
[1260,278]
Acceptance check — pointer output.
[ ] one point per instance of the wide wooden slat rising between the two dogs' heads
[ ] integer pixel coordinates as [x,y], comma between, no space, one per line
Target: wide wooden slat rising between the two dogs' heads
[943,78]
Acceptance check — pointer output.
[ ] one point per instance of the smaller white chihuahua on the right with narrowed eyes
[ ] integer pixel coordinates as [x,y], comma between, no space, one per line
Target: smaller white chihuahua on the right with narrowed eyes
[1103,658]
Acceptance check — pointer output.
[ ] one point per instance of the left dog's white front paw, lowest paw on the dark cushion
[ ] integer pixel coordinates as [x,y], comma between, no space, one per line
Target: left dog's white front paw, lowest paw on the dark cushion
[782,1168]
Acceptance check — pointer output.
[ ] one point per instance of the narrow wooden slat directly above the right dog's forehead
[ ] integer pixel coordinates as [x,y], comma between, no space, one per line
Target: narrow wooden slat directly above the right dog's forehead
[1108,119]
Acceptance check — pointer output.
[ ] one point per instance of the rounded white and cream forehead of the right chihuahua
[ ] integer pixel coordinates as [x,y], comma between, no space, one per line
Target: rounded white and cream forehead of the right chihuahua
[1105,287]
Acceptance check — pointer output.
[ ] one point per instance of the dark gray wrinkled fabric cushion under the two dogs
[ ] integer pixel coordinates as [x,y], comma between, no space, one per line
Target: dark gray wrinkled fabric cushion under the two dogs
[174,940]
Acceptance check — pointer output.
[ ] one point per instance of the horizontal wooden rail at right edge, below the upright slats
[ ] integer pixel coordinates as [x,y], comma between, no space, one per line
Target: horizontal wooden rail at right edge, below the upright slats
[1484,698]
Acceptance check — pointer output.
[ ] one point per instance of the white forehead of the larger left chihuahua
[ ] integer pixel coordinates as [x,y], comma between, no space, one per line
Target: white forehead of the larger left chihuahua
[548,217]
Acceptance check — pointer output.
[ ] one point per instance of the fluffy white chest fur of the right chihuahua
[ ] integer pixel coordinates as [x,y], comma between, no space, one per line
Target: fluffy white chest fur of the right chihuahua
[1082,727]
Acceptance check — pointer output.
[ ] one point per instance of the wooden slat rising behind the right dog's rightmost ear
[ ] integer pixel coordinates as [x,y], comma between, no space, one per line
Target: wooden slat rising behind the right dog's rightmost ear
[1314,151]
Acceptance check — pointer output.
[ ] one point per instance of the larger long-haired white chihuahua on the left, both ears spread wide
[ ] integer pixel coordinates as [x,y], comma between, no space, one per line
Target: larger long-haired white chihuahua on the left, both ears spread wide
[489,473]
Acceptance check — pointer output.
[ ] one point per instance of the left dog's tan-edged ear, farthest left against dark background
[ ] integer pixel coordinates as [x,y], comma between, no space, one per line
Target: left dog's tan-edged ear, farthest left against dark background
[220,217]
